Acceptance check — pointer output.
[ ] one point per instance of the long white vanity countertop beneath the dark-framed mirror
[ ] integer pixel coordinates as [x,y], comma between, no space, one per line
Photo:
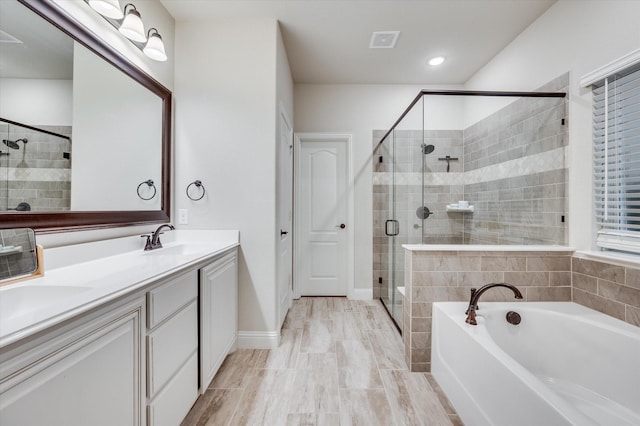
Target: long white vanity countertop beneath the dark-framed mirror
[81,277]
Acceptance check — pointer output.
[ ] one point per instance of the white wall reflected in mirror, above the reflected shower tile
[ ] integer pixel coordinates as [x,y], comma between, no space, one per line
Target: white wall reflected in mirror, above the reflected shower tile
[36,101]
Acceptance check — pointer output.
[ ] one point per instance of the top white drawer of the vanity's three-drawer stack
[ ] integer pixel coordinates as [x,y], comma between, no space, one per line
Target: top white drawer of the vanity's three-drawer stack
[168,298]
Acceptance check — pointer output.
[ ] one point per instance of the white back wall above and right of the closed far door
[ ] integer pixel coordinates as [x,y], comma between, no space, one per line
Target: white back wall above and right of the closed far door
[358,110]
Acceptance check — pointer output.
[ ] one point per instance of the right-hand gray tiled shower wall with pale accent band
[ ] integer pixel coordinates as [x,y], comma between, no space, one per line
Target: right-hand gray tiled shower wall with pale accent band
[514,172]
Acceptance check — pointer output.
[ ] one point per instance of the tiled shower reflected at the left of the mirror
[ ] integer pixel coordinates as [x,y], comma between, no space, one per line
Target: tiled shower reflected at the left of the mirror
[35,167]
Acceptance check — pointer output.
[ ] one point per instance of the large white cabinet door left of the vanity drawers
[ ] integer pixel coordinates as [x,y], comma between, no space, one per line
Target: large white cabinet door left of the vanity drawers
[96,379]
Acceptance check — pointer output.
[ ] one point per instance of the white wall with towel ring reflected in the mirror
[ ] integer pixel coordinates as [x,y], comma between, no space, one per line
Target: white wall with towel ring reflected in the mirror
[117,138]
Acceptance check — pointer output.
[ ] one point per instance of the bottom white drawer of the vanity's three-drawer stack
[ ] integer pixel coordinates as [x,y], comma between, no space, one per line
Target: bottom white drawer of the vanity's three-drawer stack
[172,405]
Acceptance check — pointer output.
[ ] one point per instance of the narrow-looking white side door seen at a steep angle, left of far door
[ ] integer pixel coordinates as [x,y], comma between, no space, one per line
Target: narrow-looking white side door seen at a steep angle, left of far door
[284,203]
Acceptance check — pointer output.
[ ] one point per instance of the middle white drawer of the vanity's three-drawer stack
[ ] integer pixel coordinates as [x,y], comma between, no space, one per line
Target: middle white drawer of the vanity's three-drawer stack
[170,346]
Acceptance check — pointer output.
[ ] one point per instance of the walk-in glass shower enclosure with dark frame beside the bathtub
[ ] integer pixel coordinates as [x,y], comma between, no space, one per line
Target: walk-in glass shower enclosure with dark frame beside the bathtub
[461,167]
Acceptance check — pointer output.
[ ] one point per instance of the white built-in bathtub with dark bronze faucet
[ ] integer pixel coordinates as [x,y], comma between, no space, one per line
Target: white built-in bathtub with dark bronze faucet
[564,364]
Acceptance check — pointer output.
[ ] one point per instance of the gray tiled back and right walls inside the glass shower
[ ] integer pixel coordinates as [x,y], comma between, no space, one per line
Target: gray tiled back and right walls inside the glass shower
[510,167]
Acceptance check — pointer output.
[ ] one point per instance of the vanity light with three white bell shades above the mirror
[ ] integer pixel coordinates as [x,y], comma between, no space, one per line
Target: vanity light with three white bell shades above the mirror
[130,25]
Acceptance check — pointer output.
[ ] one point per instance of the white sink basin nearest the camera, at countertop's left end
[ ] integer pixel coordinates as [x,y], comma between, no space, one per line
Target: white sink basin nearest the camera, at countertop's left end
[20,300]
